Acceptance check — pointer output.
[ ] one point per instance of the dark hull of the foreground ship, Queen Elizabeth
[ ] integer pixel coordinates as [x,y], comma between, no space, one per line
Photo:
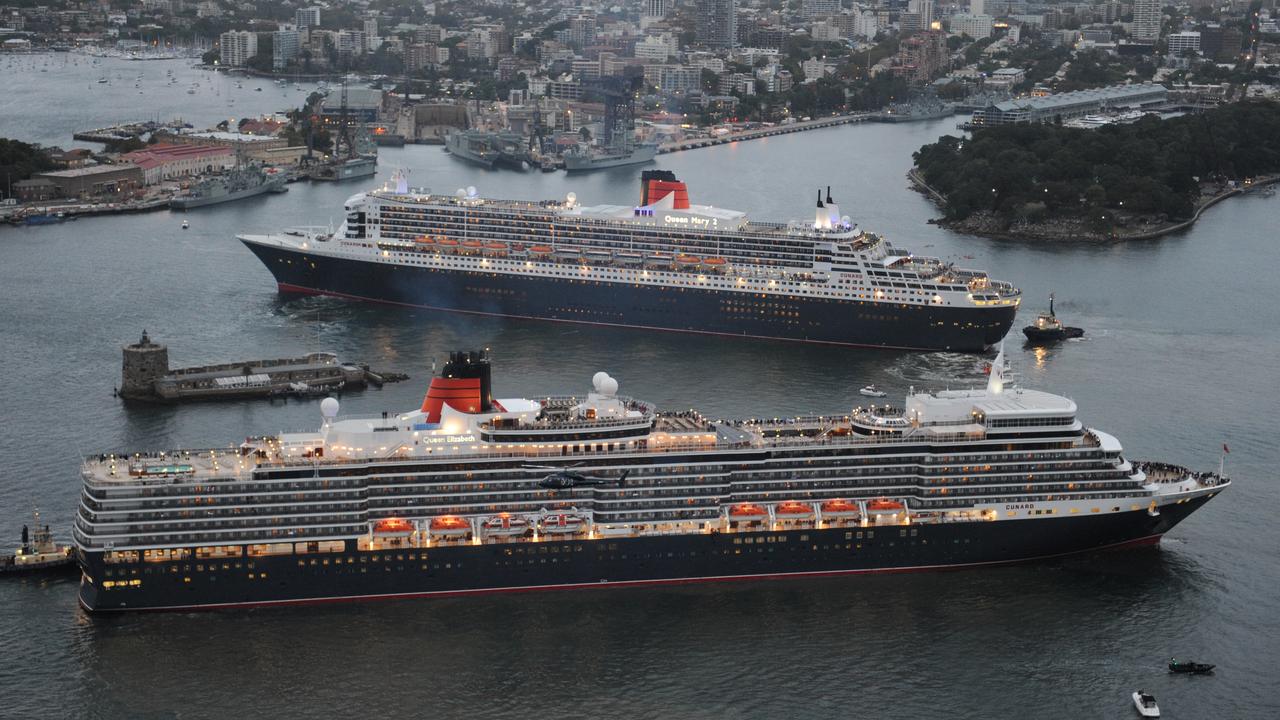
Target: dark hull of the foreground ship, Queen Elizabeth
[464,569]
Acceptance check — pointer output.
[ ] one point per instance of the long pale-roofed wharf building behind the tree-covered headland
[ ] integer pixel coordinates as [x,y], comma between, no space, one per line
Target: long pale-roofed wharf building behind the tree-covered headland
[1067,106]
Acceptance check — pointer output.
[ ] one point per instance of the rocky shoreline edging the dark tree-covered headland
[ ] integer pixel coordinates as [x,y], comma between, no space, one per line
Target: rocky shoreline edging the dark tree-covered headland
[1075,230]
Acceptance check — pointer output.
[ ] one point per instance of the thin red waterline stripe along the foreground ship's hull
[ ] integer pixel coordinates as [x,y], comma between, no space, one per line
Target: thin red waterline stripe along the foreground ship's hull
[1139,543]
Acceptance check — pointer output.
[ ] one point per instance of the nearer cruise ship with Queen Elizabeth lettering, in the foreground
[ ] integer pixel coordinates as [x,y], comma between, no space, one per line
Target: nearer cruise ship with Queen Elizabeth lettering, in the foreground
[472,494]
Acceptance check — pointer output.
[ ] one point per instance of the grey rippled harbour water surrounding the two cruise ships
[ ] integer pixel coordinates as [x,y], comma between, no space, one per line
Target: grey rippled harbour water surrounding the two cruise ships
[1180,359]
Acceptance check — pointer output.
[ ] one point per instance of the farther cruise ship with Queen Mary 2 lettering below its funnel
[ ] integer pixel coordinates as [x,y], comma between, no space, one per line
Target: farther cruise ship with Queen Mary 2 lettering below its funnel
[662,265]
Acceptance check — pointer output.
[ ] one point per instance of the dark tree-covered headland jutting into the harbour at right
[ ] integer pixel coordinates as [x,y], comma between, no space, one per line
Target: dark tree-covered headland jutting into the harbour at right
[1118,183]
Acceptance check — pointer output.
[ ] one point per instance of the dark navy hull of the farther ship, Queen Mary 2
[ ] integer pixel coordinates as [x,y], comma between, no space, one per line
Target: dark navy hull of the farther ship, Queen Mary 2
[684,309]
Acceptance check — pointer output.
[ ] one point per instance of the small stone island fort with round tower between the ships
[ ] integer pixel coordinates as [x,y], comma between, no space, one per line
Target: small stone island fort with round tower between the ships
[147,376]
